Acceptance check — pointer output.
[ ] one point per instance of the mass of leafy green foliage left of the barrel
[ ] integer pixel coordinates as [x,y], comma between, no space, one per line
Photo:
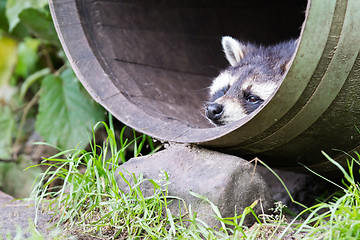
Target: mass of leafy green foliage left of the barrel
[36,82]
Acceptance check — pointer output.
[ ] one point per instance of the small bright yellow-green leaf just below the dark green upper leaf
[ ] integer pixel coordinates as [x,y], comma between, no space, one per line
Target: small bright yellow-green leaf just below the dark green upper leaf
[27,57]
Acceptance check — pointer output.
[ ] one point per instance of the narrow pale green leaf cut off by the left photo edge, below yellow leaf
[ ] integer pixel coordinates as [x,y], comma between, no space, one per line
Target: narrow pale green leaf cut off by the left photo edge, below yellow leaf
[7,125]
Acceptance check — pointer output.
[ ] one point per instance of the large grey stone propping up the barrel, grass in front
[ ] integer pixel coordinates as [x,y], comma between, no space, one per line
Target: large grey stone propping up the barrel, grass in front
[231,183]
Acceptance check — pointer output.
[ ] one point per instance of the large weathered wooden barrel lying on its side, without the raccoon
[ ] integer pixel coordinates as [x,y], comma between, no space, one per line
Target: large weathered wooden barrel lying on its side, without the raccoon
[149,63]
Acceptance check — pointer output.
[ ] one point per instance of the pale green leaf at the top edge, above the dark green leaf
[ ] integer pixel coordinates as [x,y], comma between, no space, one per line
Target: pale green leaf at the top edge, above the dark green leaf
[15,7]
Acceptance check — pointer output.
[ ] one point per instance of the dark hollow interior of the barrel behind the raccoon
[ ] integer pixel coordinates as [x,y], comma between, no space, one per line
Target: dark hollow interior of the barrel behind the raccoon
[162,56]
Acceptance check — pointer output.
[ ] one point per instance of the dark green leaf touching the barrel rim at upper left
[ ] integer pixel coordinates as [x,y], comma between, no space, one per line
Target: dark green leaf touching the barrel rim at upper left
[40,24]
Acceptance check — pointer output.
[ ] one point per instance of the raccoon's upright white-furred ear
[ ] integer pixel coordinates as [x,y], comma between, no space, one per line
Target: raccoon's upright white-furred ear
[233,49]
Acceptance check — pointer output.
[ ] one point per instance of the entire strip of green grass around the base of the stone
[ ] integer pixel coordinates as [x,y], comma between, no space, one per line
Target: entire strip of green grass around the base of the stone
[90,203]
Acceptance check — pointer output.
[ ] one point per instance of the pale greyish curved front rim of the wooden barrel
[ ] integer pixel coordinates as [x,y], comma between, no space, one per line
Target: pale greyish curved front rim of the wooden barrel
[172,132]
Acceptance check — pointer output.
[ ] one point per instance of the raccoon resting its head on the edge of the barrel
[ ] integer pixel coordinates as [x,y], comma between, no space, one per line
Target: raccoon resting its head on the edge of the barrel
[254,74]
